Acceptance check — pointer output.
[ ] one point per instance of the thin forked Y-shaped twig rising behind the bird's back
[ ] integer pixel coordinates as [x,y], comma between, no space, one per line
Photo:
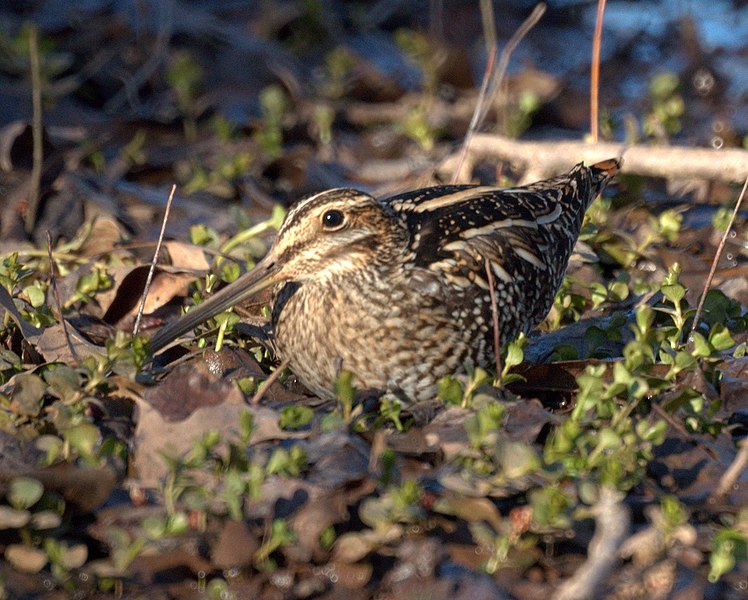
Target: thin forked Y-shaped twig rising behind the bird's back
[492,79]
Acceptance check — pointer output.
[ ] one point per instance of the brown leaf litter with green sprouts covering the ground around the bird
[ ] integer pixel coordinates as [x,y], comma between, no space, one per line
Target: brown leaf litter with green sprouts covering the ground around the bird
[121,478]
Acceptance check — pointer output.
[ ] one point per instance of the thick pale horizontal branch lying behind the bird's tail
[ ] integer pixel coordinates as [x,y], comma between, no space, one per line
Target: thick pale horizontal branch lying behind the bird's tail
[553,157]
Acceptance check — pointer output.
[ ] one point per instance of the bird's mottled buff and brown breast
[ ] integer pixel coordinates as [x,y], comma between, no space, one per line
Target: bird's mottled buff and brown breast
[384,329]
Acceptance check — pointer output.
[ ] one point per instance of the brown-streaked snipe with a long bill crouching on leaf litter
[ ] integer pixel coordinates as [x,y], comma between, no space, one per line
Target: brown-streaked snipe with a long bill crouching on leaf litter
[398,291]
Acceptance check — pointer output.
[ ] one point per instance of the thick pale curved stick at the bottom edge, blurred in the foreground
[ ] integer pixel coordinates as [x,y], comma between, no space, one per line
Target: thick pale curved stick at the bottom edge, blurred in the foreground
[611,528]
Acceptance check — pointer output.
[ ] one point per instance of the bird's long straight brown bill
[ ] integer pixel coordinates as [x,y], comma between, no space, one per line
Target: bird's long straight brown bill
[265,274]
